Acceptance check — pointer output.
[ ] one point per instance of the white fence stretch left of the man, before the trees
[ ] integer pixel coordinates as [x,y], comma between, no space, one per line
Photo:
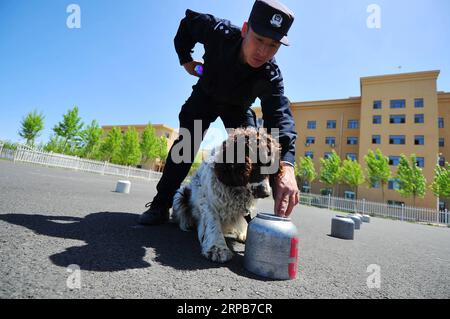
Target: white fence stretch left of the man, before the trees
[29,155]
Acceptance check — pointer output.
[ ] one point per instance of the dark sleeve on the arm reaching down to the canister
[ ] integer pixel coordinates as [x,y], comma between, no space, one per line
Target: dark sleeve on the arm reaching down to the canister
[277,114]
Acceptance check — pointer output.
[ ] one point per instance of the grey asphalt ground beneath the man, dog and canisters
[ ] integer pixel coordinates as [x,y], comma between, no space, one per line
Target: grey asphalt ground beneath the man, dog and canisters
[52,218]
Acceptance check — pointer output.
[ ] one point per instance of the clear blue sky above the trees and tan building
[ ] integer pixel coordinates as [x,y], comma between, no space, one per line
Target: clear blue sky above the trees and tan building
[120,67]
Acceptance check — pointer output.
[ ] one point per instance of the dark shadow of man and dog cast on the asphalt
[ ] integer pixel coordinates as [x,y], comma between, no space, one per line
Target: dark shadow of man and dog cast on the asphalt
[114,242]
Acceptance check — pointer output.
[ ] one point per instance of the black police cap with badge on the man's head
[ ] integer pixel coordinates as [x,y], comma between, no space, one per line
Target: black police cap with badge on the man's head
[271,19]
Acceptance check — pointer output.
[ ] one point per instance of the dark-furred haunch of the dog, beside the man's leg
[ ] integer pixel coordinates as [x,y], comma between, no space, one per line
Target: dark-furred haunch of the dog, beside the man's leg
[181,211]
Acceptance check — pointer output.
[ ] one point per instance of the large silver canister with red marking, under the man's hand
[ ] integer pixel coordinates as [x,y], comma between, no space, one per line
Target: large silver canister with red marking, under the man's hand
[271,248]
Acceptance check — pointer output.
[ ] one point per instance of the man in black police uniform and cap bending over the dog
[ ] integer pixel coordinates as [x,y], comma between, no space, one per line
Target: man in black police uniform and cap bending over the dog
[239,66]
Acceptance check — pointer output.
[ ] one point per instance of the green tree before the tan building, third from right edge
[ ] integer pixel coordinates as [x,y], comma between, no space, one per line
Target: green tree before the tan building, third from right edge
[378,170]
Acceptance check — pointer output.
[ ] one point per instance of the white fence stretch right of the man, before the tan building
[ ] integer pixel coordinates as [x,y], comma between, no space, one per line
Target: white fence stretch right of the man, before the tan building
[404,213]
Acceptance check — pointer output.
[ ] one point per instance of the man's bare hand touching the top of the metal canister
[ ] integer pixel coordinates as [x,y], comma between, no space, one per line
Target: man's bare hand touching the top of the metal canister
[286,191]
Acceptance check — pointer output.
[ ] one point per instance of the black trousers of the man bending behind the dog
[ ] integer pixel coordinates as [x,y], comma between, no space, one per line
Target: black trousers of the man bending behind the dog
[200,107]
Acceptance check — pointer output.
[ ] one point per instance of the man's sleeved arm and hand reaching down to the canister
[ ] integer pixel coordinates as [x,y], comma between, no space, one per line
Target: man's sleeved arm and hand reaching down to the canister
[277,114]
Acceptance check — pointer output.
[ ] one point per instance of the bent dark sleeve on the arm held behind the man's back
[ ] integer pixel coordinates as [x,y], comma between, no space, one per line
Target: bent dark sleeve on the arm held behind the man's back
[194,28]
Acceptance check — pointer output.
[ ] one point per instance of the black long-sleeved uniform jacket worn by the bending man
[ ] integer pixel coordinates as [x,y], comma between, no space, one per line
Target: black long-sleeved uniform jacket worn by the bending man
[233,83]
